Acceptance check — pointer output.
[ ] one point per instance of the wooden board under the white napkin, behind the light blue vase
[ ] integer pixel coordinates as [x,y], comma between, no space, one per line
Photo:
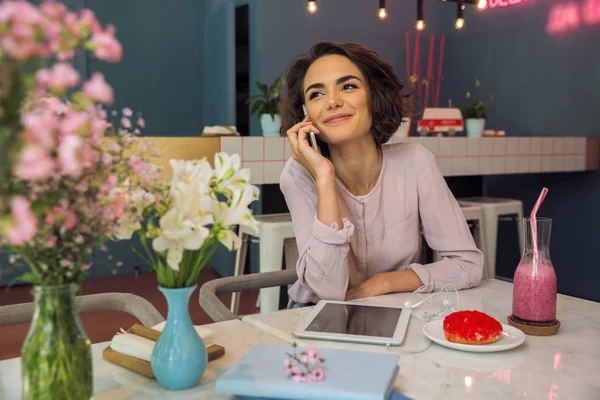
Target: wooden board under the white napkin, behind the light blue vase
[142,366]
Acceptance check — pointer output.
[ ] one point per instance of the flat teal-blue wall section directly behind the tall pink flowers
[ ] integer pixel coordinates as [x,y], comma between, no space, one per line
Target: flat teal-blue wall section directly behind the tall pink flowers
[161,71]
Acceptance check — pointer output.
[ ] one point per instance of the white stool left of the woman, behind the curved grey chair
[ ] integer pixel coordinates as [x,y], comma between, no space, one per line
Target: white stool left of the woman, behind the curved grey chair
[276,234]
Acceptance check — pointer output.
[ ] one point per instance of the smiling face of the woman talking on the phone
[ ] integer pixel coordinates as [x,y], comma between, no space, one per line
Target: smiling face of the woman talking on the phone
[336,97]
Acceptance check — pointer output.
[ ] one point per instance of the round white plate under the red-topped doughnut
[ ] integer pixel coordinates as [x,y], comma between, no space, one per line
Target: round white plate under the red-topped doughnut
[511,338]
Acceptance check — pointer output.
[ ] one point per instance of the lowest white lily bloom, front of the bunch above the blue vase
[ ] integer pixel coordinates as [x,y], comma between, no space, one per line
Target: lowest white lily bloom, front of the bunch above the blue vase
[178,234]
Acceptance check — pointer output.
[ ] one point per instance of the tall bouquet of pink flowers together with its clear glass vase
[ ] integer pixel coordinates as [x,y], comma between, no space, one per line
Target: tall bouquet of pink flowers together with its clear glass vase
[64,176]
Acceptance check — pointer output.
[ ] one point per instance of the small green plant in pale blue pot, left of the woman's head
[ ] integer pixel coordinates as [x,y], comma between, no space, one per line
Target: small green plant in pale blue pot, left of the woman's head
[266,104]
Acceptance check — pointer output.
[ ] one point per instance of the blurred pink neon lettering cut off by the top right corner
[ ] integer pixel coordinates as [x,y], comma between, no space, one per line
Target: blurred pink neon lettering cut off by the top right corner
[571,16]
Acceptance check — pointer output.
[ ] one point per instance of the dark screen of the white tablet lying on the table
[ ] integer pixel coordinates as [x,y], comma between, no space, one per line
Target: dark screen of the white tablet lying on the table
[356,320]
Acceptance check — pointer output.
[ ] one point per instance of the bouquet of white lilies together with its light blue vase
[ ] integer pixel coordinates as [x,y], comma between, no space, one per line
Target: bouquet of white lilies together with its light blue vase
[184,223]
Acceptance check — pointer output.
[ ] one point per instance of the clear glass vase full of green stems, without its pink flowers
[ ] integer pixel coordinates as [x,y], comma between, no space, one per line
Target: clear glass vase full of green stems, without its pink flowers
[56,359]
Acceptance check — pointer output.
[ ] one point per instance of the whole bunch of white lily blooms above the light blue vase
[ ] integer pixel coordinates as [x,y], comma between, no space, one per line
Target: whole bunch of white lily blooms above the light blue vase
[198,197]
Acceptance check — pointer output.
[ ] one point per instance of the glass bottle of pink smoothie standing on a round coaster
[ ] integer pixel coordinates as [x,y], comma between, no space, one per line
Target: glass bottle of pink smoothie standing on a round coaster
[534,290]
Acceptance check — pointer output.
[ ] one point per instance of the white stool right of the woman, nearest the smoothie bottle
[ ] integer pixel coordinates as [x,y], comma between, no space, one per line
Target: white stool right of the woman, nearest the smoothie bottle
[493,210]
